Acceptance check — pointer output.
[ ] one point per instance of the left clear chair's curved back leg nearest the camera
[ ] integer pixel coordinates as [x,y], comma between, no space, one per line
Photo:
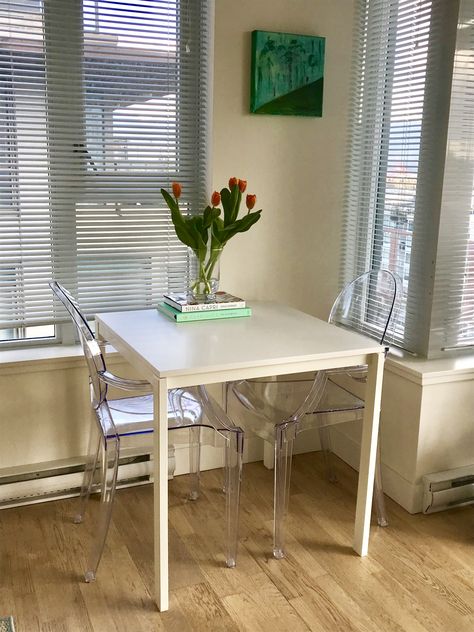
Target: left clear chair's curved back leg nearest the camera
[109,485]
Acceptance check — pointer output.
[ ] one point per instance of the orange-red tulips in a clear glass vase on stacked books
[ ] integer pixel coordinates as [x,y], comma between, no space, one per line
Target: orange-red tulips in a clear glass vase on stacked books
[207,233]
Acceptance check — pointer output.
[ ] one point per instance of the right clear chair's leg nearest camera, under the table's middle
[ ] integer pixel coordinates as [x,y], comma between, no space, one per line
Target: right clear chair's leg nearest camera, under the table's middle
[284,440]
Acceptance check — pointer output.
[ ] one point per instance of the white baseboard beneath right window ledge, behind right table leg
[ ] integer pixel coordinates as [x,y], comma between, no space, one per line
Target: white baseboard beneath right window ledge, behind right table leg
[403,492]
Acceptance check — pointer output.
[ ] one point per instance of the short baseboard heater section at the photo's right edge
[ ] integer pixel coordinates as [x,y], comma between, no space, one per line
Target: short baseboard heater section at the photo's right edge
[445,490]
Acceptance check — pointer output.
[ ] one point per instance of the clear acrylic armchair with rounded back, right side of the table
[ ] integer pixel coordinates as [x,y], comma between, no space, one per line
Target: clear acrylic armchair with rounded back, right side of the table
[279,408]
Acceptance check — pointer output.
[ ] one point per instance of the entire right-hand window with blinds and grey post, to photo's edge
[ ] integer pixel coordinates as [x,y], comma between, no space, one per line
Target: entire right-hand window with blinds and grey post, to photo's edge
[411,132]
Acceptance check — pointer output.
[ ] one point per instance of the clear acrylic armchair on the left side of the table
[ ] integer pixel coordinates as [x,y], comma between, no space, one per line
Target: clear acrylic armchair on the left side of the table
[116,419]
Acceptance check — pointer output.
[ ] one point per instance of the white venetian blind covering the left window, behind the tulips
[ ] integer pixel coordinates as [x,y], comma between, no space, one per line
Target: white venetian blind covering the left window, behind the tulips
[102,103]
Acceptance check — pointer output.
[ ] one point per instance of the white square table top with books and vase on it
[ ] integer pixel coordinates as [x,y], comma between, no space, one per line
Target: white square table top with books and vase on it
[274,335]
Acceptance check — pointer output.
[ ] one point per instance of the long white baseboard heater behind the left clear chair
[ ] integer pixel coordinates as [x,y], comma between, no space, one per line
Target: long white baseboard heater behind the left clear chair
[64,481]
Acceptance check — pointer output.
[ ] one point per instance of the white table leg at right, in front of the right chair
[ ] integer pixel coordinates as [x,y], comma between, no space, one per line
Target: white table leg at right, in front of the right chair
[368,453]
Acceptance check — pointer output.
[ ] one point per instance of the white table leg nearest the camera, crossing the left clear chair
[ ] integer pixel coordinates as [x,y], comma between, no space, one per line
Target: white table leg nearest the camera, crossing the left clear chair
[160,455]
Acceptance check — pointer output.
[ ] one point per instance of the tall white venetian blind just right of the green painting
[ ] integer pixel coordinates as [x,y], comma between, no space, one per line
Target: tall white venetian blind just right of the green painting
[402,64]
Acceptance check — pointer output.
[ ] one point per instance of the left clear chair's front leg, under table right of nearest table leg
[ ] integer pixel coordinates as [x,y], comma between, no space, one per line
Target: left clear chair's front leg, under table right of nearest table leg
[234,448]
